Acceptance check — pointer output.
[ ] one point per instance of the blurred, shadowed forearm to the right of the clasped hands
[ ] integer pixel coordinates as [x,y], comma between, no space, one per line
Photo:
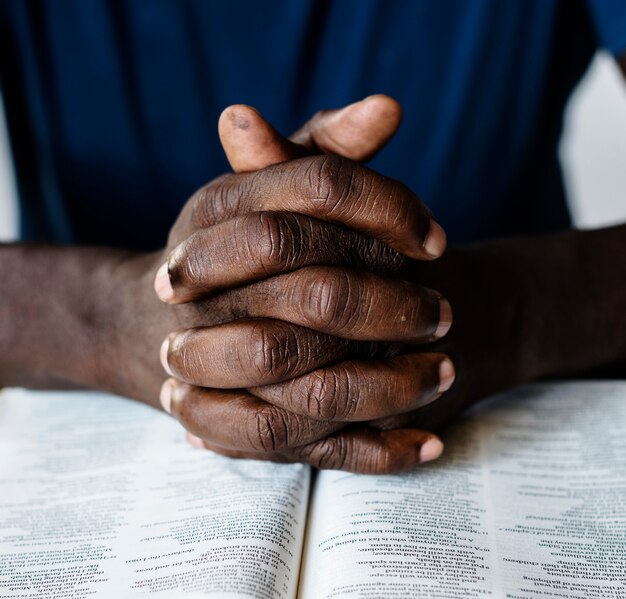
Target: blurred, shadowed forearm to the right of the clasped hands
[536,307]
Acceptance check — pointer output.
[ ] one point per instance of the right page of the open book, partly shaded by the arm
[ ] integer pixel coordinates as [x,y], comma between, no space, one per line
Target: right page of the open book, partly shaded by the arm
[529,501]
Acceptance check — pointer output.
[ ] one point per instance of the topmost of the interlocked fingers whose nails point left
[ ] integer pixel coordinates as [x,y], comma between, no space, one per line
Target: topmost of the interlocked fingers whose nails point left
[261,244]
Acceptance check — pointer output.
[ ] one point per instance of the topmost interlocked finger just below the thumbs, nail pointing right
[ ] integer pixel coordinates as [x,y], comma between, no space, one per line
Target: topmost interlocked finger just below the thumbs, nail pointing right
[332,189]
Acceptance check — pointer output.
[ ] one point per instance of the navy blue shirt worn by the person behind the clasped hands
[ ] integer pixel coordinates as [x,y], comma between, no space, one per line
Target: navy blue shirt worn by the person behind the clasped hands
[113,105]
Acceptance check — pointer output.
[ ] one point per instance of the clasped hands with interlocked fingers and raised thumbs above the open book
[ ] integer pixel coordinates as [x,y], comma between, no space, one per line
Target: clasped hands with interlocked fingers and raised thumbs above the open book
[300,323]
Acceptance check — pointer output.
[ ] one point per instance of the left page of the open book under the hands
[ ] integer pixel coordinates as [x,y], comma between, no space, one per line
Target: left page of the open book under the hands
[102,497]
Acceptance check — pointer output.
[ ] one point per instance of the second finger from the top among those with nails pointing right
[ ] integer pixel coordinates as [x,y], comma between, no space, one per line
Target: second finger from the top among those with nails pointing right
[348,303]
